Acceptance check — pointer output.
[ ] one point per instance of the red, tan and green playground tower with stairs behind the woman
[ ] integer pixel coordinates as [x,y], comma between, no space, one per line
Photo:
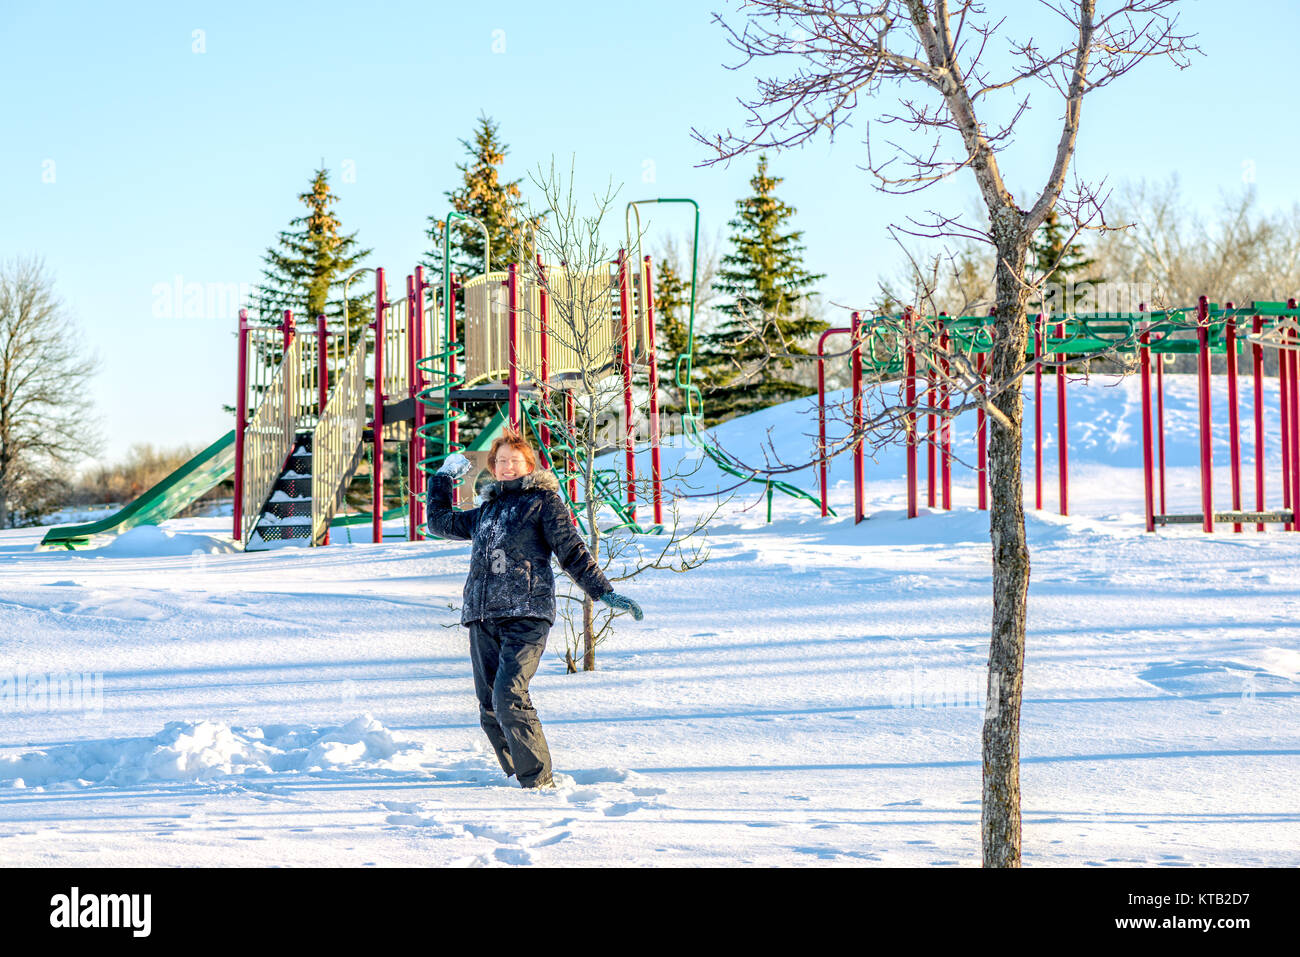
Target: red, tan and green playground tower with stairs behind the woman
[307,426]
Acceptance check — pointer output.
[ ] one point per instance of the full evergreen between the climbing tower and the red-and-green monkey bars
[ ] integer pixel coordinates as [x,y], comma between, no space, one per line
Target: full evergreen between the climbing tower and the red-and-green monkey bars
[769,291]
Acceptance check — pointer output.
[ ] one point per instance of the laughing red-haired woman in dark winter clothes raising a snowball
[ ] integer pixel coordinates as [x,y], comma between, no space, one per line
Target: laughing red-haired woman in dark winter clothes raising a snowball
[510,594]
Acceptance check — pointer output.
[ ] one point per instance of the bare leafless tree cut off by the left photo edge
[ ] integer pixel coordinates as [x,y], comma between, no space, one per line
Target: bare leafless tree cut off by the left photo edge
[45,426]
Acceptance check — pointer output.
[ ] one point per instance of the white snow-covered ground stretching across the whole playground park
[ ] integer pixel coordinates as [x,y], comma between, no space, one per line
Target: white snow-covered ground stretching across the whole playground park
[813,695]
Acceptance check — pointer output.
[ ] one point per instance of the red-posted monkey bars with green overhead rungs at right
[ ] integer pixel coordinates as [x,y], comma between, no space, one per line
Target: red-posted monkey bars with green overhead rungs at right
[1201,331]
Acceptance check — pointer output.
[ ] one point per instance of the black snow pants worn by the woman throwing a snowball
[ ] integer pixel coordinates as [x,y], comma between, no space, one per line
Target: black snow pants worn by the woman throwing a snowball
[506,653]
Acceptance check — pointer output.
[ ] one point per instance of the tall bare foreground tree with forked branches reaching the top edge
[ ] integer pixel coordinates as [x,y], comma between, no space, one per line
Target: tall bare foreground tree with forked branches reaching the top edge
[931,58]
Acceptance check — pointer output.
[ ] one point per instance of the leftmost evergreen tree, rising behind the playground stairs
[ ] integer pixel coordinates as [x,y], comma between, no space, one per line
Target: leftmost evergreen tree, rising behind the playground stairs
[306,272]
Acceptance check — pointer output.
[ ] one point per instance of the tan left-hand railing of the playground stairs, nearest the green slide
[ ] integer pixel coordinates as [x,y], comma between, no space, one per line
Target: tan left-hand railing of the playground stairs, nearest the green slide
[271,434]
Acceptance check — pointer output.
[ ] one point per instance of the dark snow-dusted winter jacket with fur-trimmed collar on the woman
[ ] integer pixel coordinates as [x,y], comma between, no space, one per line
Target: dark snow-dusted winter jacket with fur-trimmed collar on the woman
[515,530]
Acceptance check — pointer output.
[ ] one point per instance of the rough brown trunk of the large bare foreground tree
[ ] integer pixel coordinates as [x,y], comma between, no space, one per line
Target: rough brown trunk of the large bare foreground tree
[1000,821]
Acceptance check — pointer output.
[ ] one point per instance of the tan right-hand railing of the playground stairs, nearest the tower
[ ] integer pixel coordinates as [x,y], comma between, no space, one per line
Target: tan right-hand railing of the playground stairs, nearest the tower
[337,441]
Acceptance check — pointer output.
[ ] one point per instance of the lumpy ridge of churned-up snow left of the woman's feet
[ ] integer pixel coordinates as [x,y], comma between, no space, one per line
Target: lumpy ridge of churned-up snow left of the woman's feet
[206,751]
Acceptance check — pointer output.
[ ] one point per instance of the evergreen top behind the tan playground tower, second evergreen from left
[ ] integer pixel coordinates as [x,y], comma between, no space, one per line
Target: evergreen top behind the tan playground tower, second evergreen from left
[487,198]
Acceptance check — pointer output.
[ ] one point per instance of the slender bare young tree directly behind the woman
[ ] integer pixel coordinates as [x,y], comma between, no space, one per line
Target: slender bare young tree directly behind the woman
[578,287]
